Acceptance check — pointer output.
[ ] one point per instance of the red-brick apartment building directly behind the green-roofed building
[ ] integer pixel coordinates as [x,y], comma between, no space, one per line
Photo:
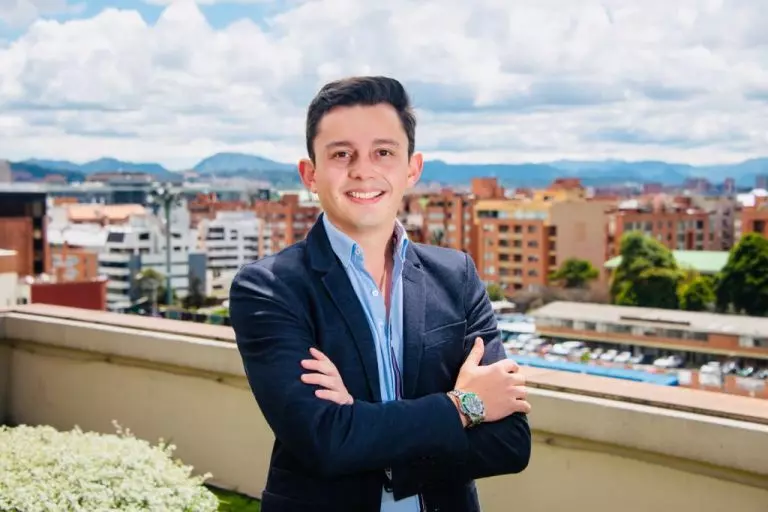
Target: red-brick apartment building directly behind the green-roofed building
[676,222]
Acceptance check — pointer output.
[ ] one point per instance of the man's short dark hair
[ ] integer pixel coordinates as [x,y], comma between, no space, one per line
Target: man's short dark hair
[361,90]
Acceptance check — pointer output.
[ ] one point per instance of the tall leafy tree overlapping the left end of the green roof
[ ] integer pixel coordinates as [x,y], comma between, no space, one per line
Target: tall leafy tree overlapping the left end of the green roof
[647,276]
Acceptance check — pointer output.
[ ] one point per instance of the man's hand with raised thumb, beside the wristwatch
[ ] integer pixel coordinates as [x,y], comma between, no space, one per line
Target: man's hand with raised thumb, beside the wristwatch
[498,385]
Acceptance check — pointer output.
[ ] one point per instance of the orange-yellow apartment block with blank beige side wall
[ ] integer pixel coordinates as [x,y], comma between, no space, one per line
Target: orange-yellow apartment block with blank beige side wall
[521,241]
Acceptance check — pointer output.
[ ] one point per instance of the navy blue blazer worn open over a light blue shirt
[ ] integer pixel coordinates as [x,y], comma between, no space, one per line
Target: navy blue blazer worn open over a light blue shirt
[329,457]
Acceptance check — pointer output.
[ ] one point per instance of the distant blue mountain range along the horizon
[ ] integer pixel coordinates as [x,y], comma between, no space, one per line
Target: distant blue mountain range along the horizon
[591,173]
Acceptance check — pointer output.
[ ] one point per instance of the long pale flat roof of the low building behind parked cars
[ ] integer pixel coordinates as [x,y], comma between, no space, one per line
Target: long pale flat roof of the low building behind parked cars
[735,325]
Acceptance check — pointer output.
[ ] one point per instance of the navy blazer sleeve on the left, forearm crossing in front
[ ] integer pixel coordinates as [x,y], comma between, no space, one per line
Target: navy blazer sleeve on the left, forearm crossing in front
[273,335]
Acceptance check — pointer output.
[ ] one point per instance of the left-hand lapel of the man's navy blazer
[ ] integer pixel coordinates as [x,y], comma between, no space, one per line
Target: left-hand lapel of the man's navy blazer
[334,277]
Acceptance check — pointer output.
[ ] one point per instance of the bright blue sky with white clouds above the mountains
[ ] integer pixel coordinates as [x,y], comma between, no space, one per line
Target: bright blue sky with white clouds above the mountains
[492,81]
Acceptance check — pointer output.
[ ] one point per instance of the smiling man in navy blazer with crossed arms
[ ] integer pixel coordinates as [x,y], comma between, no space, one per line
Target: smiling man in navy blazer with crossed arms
[376,361]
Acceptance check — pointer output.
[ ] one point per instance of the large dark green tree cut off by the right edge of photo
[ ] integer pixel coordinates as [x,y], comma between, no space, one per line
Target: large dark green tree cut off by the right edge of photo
[743,283]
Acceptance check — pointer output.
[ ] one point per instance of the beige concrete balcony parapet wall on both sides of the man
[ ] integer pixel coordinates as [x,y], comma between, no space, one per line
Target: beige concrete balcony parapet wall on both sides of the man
[600,444]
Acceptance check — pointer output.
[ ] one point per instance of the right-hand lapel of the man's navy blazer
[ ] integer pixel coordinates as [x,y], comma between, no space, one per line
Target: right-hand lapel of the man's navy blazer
[414,299]
